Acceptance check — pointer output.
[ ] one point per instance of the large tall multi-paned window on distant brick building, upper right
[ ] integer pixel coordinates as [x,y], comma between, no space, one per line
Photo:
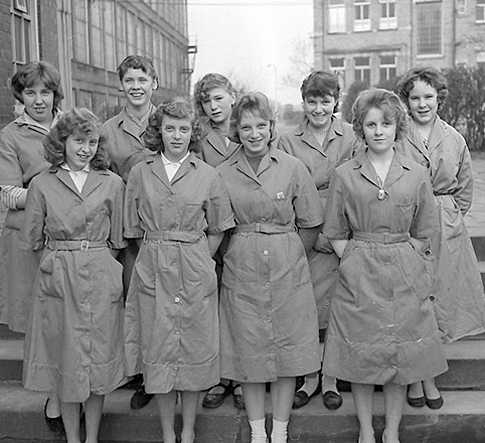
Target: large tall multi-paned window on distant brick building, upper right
[429,28]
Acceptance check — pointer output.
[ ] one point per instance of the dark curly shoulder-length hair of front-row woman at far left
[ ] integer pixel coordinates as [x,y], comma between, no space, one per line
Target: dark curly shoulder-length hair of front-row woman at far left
[77,120]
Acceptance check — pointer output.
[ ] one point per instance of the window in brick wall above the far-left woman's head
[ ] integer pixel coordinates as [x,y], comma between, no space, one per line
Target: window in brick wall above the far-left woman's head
[24,32]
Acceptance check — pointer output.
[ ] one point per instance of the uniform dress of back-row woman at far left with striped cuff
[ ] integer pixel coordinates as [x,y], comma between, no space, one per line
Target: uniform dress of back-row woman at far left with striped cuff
[21,159]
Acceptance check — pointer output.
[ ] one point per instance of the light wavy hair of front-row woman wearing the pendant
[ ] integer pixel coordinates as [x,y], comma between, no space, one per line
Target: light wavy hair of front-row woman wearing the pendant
[388,102]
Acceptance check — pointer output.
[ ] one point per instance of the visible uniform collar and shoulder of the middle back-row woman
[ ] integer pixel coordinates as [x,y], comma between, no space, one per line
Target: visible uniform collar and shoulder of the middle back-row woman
[214,146]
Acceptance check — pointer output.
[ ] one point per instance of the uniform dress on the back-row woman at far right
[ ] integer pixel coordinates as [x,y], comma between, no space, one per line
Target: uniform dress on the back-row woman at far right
[457,290]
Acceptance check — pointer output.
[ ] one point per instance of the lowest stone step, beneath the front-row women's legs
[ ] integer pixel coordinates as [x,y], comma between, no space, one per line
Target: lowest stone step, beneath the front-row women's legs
[460,420]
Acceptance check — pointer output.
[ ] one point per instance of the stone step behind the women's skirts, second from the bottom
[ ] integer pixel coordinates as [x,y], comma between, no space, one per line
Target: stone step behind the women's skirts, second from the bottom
[466,359]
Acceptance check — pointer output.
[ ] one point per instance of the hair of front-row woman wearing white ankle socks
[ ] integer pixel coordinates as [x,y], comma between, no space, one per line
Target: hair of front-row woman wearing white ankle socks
[252,103]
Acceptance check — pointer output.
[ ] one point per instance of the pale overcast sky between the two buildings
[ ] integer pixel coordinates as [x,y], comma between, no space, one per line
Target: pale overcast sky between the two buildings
[250,40]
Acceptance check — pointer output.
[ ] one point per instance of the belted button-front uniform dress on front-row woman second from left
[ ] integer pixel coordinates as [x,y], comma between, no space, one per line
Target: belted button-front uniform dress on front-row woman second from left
[171,321]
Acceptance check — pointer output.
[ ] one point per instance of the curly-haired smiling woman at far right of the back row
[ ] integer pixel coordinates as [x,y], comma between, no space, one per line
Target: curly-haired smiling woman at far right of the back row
[457,290]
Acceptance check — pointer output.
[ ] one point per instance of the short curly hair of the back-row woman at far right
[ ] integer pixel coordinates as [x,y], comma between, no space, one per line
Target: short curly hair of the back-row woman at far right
[427,74]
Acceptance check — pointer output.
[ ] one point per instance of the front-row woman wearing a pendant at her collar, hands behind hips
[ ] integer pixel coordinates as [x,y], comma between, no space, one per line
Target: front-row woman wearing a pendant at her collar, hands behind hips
[381,215]
